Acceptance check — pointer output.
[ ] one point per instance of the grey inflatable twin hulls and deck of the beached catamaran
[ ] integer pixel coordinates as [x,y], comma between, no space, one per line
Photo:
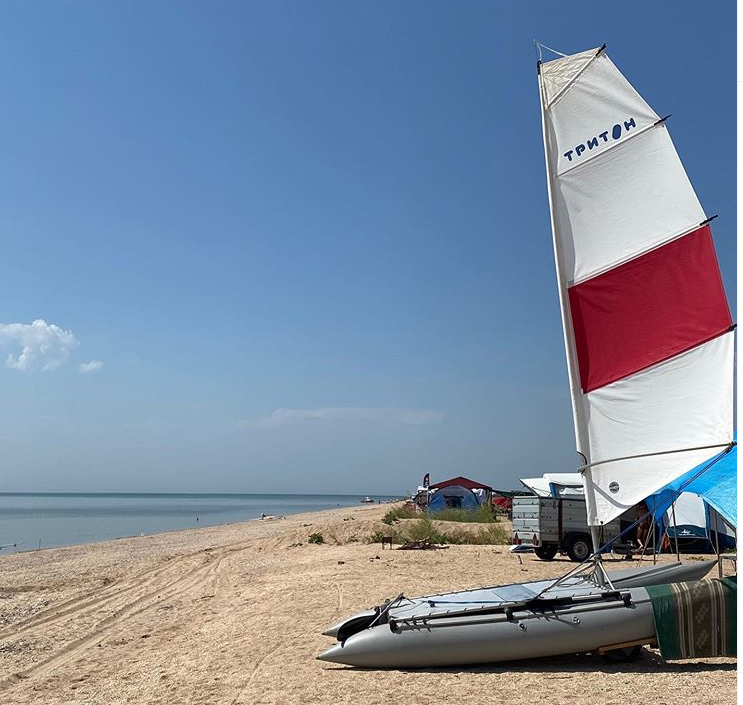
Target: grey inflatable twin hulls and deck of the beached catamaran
[505,623]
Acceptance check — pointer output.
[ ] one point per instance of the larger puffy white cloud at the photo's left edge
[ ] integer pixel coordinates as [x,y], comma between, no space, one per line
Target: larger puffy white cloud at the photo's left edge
[42,345]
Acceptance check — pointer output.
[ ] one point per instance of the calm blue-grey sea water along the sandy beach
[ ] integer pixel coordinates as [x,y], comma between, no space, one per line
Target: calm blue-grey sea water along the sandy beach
[30,521]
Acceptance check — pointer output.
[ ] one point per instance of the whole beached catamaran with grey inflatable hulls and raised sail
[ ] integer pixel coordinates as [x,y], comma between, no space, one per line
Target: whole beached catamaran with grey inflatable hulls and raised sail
[649,344]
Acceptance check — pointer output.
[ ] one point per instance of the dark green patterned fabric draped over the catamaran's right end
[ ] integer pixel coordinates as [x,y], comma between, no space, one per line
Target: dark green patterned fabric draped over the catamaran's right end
[695,619]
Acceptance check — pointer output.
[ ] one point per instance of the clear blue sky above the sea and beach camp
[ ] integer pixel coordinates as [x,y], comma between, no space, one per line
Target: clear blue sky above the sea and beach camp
[305,246]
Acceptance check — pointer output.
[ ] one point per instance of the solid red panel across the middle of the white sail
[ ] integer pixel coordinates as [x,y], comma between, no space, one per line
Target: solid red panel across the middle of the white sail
[648,310]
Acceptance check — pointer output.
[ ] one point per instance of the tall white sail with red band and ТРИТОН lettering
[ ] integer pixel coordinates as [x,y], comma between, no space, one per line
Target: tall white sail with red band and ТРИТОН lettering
[648,333]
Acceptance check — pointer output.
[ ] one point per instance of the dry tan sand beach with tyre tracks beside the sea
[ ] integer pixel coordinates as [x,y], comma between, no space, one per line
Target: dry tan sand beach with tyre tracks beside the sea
[233,614]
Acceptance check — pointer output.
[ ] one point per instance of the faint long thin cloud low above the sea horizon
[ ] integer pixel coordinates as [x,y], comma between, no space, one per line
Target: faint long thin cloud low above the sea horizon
[331,414]
